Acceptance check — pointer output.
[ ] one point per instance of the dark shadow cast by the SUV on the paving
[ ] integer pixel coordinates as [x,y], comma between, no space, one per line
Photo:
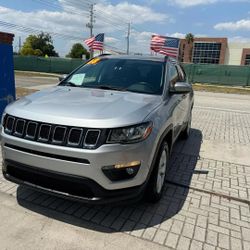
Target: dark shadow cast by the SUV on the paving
[130,216]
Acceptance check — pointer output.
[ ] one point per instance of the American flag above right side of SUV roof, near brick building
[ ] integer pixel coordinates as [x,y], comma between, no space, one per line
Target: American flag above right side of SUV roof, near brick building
[168,46]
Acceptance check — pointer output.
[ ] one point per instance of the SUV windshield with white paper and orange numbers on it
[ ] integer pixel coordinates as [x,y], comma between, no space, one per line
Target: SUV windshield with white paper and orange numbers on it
[119,74]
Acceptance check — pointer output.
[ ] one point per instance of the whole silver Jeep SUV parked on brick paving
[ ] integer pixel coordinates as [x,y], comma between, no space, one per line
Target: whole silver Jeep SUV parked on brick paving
[104,134]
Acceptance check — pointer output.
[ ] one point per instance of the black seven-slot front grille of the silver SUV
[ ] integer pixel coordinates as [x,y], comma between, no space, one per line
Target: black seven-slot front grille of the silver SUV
[52,133]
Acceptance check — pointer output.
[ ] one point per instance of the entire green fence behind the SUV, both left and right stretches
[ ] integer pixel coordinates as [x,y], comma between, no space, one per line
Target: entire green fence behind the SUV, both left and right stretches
[197,73]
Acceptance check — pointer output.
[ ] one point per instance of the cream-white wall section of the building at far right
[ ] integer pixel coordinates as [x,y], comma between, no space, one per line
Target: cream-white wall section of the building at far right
[234,53]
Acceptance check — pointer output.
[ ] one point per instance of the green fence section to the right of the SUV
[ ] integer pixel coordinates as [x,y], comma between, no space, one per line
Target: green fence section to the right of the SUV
[218,74]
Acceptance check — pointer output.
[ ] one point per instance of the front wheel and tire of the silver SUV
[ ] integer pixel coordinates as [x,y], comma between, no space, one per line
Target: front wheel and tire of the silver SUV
[156,183]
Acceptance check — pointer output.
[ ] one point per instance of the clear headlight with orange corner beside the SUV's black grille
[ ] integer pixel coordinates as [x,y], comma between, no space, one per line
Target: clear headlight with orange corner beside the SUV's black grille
[130,134]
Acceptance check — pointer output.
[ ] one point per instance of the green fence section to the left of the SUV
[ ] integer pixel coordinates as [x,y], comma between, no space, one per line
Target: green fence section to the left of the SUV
[48,65]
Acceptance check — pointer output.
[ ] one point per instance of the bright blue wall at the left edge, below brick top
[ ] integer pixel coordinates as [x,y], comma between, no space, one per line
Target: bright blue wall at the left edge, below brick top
[7,79]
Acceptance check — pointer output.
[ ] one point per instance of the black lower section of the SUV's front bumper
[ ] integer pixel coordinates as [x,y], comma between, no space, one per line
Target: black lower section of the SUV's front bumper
[69,186]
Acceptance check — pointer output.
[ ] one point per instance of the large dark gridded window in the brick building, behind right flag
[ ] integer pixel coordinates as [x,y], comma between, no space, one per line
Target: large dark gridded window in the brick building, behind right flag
[206,52]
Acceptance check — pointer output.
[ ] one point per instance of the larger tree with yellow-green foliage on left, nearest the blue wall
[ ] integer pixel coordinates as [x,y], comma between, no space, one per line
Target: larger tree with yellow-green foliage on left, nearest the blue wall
[39,45]
